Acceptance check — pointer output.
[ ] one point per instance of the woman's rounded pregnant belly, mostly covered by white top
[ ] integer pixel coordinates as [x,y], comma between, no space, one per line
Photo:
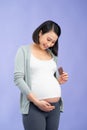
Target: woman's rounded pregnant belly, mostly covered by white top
[48,90]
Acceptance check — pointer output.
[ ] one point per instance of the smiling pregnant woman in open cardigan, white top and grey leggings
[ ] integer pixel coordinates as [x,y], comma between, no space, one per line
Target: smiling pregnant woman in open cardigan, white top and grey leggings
[36,75]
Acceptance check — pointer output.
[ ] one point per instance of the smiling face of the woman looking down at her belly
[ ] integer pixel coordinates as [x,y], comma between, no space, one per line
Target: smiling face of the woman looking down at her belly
[47,40]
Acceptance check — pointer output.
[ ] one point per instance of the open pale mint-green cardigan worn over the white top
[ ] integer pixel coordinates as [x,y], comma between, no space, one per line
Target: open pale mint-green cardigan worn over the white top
[22,76]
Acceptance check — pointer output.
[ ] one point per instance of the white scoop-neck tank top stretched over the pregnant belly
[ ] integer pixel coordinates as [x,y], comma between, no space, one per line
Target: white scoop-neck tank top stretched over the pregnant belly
[43,83]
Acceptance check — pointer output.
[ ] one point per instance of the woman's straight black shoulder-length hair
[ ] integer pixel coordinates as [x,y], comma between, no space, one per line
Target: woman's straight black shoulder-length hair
[46,27]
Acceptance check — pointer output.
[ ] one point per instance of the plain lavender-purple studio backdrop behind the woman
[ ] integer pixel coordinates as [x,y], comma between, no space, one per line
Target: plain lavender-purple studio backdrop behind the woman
[18,19]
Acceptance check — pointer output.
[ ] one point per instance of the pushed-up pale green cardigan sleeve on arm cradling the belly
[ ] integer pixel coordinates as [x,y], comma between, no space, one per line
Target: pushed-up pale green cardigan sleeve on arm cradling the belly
[19,72]
